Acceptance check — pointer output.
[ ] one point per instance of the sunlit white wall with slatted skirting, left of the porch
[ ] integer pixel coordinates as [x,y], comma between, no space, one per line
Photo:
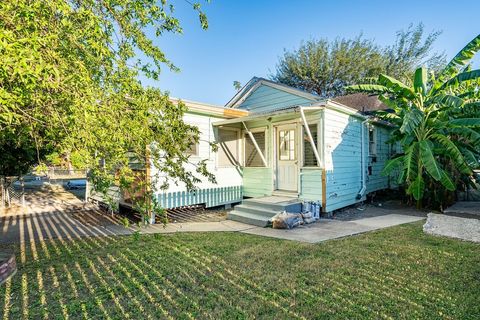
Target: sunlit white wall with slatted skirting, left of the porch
[229,179]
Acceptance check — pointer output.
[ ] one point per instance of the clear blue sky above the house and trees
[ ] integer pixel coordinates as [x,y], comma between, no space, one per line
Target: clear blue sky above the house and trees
[246,38]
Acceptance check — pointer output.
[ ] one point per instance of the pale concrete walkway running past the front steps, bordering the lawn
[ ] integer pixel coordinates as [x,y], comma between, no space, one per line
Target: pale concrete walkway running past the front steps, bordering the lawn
[324,229]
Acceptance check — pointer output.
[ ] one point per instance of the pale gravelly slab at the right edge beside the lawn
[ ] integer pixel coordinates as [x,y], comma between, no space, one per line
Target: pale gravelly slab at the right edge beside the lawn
[453,227]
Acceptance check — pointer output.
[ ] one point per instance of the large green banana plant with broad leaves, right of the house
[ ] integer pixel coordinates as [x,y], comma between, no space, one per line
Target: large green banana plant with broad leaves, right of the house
[437,124]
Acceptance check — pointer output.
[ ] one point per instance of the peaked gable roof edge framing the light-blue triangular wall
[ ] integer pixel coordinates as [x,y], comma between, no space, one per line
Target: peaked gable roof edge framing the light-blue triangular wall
[256,82]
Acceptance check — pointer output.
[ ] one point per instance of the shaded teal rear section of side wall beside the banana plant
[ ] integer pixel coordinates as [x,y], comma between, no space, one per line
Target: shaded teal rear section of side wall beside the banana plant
[376,181]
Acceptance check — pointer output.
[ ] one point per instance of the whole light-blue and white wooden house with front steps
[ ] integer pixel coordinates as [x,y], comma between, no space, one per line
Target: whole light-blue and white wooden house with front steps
[281,141]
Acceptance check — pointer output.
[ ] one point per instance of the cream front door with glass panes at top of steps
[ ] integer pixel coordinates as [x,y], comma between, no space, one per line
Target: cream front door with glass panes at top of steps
[287,162]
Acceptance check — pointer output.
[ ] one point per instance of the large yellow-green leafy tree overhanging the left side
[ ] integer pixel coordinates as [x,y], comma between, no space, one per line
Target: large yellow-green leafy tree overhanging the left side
[69,81]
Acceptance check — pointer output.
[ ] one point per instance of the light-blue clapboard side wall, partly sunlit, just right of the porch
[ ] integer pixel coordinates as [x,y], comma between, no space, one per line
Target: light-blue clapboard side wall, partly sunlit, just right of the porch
[342,159]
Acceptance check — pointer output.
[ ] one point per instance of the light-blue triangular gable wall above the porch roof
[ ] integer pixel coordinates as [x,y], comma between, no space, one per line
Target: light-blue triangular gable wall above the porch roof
[266,98]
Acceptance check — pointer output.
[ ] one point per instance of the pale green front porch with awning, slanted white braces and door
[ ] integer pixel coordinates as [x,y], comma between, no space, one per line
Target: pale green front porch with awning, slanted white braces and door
[278,153]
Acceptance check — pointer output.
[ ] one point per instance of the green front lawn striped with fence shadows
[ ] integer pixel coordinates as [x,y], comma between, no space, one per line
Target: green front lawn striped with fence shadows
[394,273]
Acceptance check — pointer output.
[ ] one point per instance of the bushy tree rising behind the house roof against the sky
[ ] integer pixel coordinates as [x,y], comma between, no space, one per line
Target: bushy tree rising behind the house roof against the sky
[325,68]
